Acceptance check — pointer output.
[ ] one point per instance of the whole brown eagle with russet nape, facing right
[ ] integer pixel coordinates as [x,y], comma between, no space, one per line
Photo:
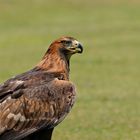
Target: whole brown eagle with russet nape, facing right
[34,102]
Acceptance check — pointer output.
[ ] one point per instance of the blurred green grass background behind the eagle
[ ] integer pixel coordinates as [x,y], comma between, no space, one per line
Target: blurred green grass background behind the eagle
[107,74]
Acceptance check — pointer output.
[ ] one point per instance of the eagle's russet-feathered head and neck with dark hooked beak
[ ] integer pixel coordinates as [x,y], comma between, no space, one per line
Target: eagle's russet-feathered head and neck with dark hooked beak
[57,57]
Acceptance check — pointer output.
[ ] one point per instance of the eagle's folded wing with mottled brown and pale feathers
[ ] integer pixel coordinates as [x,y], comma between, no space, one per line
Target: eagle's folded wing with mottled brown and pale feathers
[28,105]
